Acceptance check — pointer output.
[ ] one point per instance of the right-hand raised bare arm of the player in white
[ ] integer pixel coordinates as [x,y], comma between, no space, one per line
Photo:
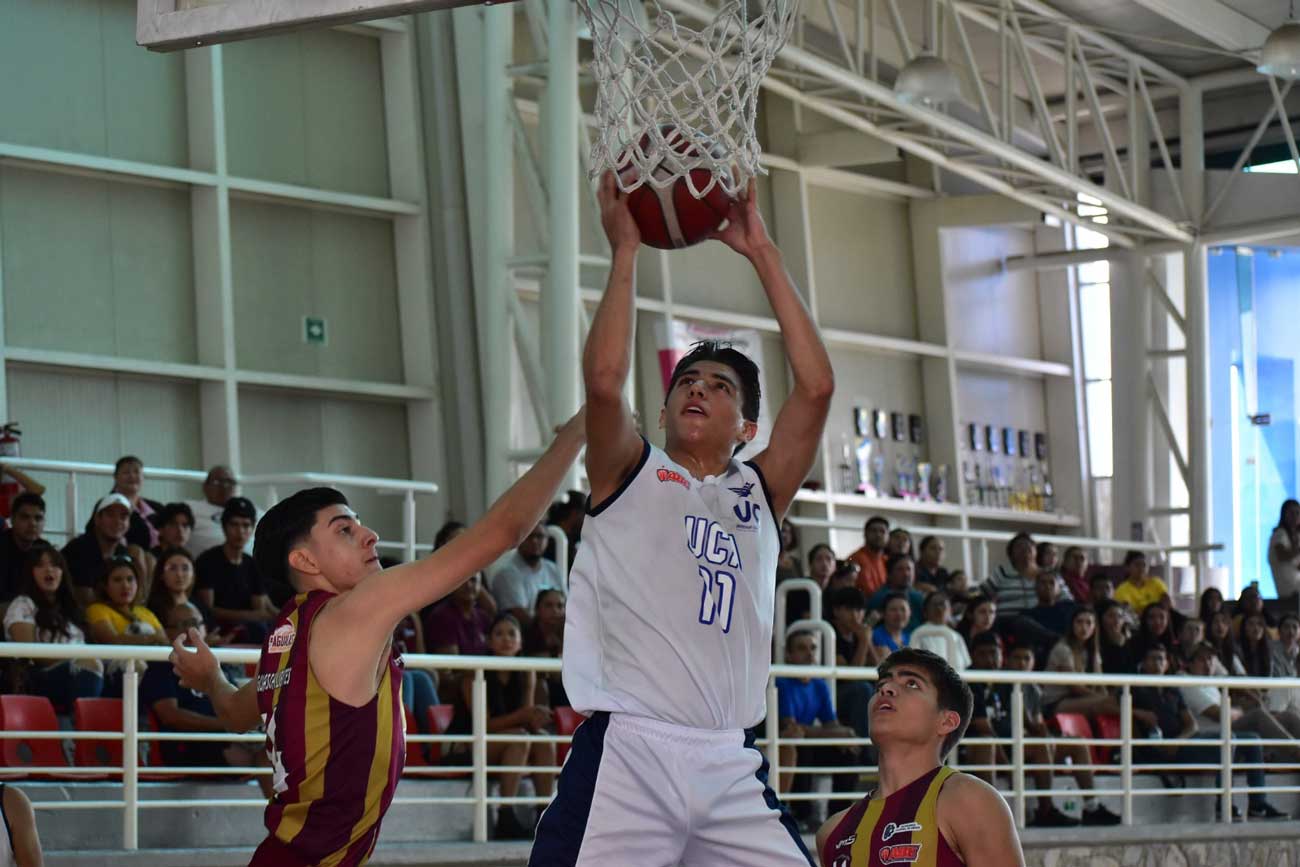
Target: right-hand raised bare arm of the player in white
[798,431]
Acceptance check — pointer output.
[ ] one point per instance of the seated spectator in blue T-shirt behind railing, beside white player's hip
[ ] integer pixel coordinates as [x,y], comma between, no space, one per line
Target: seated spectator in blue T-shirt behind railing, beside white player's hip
[805,712]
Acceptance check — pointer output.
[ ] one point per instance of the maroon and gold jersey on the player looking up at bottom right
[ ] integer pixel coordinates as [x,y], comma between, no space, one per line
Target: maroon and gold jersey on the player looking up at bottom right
[902,830]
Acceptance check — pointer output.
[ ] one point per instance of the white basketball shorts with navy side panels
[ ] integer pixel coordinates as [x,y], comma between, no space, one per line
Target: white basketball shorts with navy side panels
[643,794]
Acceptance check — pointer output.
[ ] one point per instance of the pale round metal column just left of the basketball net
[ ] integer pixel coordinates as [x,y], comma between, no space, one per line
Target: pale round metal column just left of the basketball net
[560,302]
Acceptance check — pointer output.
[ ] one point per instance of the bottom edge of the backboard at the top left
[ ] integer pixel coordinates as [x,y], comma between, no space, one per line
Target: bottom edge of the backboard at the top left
[168,25]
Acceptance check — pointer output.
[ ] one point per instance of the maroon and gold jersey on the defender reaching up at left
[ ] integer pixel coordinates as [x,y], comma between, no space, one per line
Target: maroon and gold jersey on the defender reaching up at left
[336,766]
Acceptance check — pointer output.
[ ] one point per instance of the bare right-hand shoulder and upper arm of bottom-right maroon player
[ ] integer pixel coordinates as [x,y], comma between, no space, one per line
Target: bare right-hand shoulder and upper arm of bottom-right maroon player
[978,823]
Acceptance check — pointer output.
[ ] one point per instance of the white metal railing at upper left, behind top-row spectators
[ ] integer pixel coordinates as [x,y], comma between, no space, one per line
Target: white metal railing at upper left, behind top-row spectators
[272,484]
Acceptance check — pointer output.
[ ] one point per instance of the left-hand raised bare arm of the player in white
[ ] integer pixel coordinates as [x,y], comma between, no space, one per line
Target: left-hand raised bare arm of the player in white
[614,445]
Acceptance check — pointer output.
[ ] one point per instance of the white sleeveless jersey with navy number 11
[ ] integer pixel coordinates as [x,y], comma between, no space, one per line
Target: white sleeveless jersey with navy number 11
[671,599]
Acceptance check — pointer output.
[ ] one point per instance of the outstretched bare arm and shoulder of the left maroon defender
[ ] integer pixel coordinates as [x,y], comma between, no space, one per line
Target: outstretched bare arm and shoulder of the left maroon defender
[353,632]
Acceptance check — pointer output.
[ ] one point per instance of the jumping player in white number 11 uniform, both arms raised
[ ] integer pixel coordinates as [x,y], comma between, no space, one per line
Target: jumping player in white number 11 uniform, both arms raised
[669,626]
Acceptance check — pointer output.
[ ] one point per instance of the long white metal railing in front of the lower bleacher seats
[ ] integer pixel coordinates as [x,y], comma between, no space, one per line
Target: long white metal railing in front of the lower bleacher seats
[480,800]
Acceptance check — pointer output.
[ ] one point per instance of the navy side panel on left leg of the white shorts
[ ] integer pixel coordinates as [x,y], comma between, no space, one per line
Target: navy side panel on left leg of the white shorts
[564,825]
